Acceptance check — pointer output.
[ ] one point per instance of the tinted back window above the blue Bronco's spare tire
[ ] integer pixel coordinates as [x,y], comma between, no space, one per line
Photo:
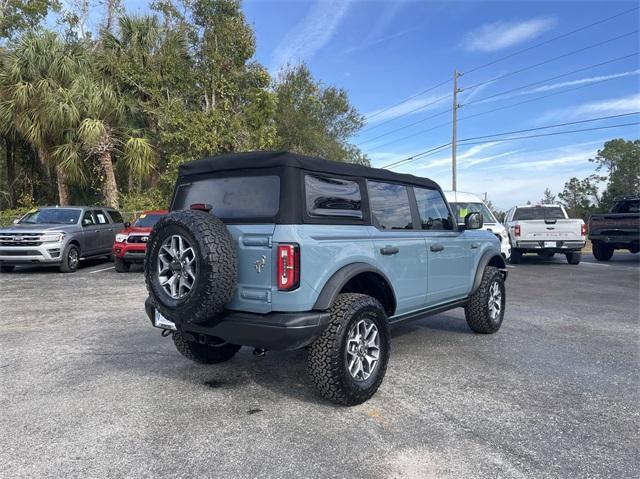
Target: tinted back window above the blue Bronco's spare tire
[235,197]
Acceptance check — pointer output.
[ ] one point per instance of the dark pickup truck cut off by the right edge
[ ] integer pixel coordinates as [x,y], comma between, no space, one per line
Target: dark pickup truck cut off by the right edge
[618,229]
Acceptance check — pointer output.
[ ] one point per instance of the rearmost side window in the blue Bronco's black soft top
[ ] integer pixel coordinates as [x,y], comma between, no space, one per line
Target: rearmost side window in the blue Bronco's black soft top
[332,197]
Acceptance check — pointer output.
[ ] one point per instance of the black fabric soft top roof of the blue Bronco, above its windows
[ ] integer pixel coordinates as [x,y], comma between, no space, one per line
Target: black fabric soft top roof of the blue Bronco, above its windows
[271,159]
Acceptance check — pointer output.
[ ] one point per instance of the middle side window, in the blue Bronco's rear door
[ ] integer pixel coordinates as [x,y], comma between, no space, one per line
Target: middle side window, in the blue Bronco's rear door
[390,208]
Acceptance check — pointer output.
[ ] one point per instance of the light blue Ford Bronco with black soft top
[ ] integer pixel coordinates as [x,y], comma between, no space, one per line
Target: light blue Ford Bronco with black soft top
[279,251]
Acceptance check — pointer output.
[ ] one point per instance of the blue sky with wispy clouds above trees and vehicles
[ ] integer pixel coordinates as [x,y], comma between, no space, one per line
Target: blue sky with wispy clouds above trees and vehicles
[382,52]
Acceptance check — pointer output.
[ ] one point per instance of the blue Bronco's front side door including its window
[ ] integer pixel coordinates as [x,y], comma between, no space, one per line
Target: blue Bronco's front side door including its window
[449,250]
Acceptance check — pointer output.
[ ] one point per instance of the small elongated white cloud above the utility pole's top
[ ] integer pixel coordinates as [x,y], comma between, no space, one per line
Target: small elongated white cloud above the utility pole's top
[499,35]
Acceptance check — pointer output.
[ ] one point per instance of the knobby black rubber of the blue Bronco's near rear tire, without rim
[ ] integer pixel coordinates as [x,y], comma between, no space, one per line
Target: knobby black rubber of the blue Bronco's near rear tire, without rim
[328,359]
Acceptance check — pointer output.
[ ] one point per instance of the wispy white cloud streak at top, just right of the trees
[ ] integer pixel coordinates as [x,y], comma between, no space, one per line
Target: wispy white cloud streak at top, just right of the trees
[311,34]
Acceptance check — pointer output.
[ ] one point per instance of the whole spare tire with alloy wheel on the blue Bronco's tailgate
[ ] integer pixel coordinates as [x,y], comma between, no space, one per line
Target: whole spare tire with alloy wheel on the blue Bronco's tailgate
[190,267]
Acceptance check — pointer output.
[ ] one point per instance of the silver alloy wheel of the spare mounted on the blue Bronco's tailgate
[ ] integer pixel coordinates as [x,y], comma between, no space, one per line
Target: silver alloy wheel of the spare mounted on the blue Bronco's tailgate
[177,266]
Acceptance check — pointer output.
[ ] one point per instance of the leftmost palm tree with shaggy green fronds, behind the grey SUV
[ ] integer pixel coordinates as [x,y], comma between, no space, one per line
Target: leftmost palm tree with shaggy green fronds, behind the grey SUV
[34,95]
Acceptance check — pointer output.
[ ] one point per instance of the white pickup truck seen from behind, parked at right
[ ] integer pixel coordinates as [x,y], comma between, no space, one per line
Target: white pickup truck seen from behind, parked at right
[546,230]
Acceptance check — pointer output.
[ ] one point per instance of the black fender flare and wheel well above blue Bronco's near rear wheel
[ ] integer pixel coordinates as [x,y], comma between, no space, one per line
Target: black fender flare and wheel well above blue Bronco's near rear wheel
[361,278]
